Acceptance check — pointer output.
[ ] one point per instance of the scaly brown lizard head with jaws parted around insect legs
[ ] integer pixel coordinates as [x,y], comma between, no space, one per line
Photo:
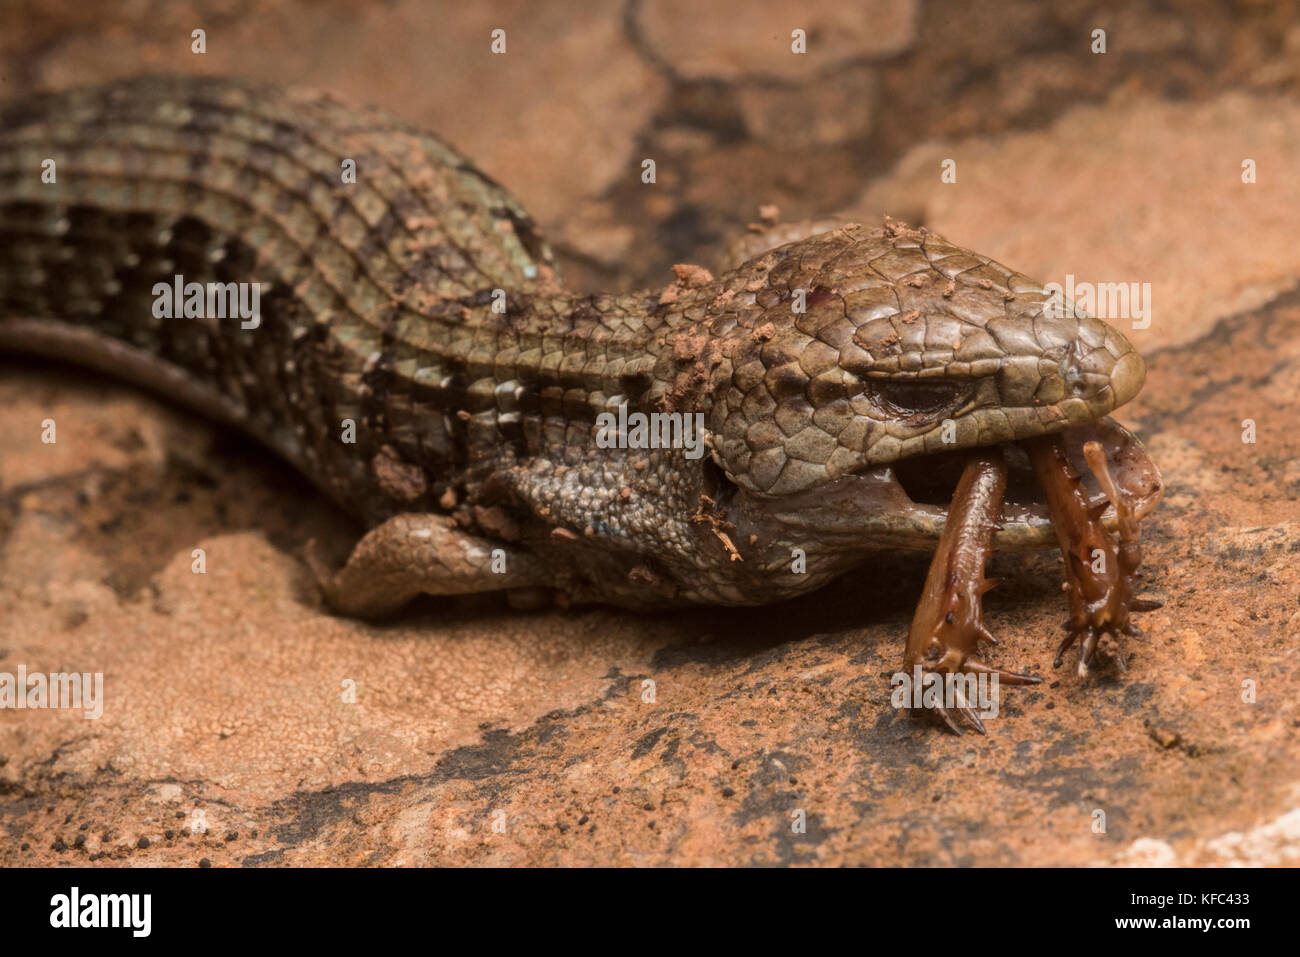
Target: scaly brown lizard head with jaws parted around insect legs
[860,366]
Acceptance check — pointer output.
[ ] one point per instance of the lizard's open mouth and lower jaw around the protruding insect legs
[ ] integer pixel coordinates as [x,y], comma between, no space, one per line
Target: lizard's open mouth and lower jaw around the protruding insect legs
[929,483]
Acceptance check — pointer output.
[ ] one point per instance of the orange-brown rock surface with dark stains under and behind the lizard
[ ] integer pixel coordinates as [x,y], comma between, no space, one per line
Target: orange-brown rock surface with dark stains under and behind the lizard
[244,725]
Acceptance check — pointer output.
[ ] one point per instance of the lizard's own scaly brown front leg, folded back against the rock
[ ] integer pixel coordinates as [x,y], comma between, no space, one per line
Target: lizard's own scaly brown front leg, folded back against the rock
[422,555]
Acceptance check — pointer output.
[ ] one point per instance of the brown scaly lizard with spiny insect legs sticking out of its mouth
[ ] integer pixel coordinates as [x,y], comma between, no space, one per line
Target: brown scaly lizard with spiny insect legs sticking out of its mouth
[418,357]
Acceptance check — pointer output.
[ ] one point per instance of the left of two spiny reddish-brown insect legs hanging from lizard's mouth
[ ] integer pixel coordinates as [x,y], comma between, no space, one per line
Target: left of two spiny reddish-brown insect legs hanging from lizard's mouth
[950,625]
